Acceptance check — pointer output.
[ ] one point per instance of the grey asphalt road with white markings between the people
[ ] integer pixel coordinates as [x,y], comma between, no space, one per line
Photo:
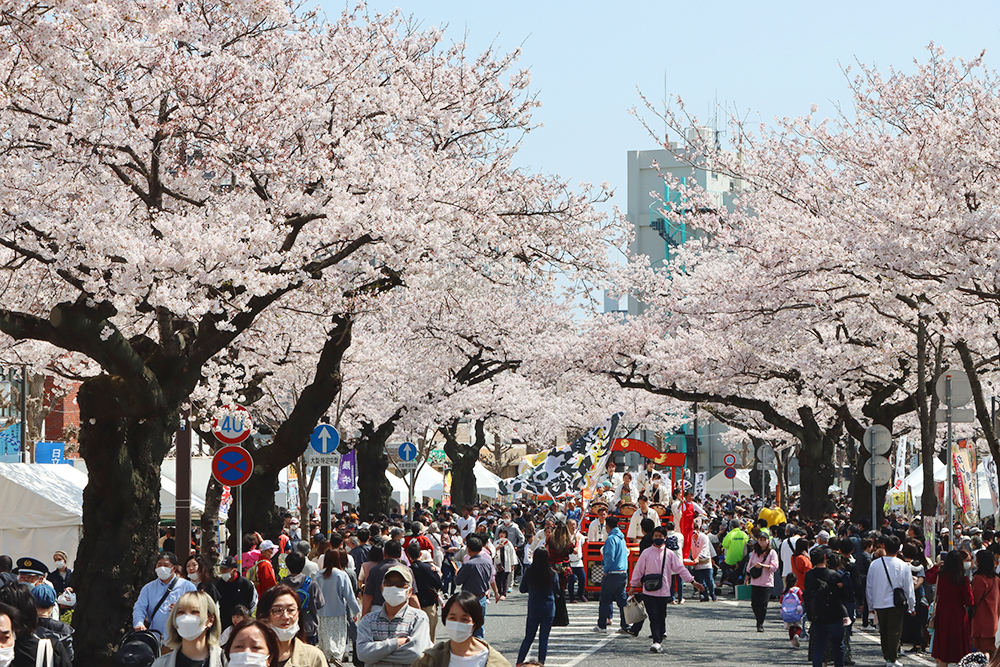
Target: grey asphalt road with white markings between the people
[719,633]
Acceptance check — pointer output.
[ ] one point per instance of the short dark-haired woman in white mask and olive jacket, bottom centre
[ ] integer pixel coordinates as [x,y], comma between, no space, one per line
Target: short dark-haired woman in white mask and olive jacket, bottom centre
[462,615]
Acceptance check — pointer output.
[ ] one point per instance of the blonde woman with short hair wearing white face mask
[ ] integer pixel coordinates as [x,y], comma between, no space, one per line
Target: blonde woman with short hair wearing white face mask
[193,633]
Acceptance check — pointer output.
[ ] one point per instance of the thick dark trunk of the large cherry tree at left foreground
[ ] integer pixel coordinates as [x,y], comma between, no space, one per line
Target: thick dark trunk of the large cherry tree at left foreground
[121,510]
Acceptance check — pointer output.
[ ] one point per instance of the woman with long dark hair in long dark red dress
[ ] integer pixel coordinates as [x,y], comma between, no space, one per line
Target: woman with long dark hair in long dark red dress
[951,622]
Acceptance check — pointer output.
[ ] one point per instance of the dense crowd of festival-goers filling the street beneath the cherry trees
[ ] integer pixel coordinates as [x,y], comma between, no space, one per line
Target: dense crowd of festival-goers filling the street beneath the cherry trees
[382,591]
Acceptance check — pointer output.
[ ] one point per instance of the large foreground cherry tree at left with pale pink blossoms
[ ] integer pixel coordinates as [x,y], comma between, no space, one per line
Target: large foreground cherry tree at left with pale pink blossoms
[171,172]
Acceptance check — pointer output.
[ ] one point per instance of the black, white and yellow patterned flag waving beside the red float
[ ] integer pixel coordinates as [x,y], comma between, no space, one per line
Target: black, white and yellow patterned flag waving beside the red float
[566,469]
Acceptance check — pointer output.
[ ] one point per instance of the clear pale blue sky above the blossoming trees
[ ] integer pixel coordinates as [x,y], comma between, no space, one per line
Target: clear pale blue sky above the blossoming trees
[769,58]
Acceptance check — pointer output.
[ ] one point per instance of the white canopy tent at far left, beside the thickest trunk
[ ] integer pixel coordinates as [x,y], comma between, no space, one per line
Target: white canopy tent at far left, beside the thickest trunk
[42,509]
